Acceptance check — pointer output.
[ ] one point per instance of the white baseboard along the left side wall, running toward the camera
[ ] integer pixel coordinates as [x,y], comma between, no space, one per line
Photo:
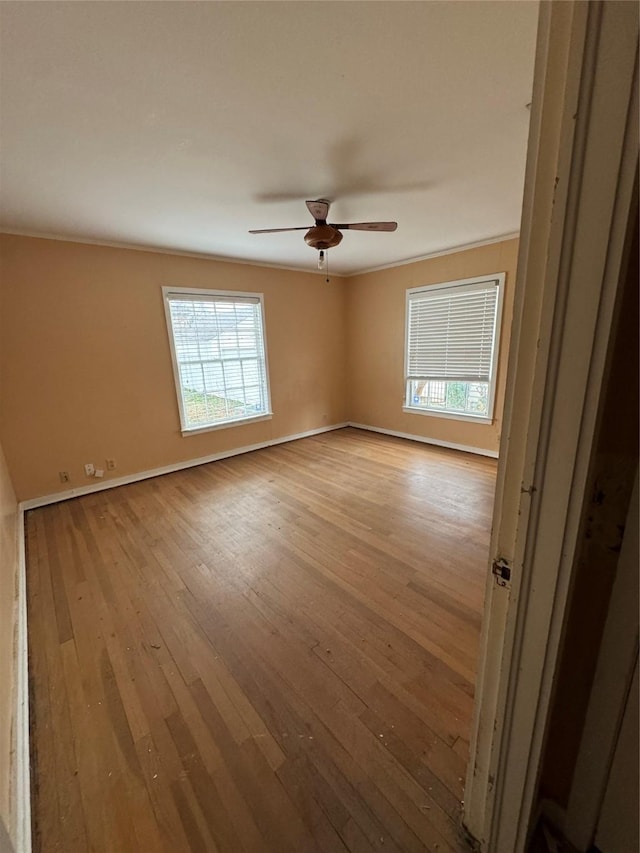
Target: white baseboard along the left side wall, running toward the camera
[22,756]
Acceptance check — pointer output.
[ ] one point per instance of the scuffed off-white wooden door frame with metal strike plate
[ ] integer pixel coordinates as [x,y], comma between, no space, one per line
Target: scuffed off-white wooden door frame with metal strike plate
[580,185]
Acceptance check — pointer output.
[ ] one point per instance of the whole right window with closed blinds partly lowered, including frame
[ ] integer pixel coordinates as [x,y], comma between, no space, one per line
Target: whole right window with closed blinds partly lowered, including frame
[452,347]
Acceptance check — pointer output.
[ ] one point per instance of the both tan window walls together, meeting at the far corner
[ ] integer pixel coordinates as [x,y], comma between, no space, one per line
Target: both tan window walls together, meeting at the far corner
[86,372]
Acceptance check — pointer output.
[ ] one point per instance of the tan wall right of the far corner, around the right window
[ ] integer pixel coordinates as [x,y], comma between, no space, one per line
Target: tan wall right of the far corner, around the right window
[375,343]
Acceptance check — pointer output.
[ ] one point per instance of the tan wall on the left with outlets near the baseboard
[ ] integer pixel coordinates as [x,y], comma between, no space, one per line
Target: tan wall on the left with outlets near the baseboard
[86,369]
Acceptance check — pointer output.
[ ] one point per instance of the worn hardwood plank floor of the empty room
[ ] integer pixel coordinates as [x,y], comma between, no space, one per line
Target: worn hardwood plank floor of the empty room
[274,652]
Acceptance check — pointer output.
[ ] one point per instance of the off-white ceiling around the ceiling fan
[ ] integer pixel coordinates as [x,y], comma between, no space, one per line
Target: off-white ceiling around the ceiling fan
[180,126]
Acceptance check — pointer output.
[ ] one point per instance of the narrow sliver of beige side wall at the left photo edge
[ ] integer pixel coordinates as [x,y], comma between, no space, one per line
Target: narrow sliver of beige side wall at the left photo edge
[8,589]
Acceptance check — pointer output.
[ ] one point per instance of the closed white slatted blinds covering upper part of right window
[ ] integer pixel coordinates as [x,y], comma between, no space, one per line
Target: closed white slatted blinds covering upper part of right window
[451,331]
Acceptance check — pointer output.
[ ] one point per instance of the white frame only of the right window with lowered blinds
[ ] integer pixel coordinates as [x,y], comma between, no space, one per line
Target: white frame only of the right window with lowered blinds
[499,279]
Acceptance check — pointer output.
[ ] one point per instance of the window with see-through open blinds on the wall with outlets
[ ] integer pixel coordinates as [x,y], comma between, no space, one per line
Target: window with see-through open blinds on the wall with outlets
[219,360]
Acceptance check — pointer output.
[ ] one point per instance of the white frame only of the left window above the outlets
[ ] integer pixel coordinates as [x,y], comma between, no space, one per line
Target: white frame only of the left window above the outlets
[185,429]
